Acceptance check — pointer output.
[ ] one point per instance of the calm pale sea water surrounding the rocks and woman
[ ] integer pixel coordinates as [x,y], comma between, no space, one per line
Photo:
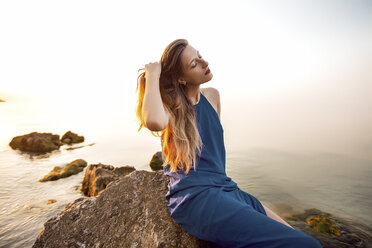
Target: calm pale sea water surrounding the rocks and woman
[284,180]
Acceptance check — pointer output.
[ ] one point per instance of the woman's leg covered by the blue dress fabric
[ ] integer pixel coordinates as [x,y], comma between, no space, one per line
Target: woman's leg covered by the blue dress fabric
[219,217]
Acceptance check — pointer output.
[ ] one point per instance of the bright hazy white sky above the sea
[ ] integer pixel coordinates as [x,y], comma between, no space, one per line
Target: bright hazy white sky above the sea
[303,65]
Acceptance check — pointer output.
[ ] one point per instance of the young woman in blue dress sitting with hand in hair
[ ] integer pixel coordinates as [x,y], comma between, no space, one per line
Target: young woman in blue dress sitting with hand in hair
[202,198]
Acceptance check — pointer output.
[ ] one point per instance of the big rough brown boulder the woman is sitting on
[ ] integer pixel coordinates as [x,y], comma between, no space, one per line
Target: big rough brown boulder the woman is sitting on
[130,212]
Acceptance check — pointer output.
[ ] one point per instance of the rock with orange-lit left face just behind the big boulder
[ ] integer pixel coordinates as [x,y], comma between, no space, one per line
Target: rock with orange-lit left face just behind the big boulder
[98,176]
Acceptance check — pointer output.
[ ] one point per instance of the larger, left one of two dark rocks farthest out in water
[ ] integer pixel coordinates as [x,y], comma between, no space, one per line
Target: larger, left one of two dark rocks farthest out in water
[36,142]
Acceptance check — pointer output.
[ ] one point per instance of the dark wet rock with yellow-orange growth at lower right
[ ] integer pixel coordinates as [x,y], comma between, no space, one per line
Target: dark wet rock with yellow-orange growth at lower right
[331,231]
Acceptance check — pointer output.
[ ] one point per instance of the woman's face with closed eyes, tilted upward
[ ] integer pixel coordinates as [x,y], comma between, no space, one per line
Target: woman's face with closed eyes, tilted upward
[194,67]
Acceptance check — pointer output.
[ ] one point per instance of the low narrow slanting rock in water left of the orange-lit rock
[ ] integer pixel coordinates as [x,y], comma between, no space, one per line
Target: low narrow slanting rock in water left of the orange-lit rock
[58,172]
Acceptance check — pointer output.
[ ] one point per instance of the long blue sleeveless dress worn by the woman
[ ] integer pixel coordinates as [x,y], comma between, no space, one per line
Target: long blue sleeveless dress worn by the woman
[209,205]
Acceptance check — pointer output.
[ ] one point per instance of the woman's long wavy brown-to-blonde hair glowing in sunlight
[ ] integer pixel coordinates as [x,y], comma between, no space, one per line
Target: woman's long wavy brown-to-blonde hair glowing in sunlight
[180,140]
